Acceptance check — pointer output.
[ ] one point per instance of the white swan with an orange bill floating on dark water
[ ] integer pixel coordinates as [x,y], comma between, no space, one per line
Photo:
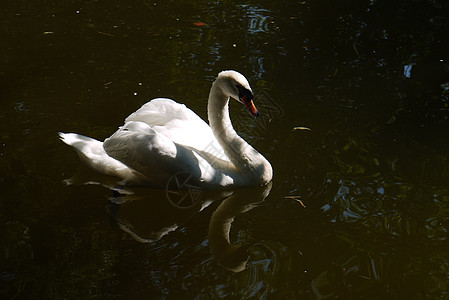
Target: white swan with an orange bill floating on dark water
[164,138]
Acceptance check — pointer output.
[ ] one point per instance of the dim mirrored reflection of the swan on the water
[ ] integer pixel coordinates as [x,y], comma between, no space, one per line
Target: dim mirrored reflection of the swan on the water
[148,221]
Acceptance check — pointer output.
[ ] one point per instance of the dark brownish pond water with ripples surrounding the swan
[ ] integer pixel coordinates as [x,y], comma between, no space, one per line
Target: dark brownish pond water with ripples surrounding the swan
[370,79]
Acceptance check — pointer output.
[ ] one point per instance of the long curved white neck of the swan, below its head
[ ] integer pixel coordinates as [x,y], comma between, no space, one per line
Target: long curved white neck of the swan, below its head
[248,162]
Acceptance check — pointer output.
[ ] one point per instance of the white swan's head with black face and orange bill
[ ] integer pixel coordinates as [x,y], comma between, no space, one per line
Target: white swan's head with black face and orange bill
[236,86]
